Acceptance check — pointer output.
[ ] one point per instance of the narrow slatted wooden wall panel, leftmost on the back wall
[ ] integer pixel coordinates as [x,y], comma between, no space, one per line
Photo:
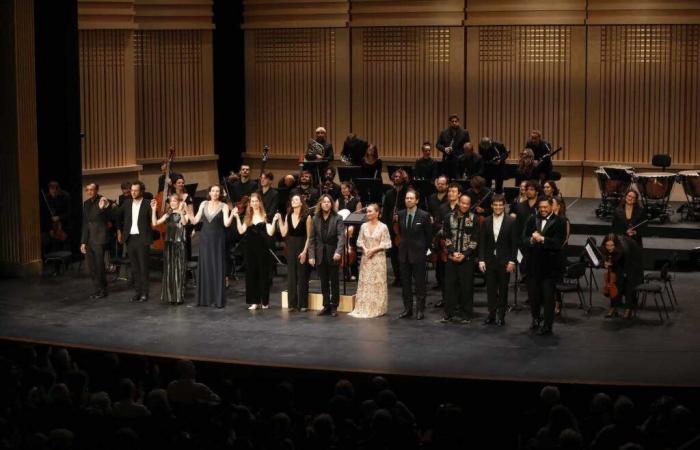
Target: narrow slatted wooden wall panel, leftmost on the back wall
[106,98]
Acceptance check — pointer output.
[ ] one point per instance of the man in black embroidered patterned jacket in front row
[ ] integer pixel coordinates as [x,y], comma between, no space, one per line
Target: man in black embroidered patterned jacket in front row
[461,229]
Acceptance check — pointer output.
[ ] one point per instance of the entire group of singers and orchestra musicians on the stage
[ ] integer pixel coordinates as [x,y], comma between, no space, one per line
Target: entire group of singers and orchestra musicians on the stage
[449,215]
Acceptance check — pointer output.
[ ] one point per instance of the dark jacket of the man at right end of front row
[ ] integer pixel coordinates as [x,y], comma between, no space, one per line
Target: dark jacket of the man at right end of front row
[545,258]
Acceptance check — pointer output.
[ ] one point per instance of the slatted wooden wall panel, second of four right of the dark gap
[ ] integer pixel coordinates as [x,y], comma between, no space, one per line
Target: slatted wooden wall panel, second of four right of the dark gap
[404,85]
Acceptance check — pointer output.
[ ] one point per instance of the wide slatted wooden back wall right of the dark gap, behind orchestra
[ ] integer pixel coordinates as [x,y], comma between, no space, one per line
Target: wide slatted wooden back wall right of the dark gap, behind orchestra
[610,81]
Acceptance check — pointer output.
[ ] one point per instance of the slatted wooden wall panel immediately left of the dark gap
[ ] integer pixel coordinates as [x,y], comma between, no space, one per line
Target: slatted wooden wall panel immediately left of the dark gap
[174,97]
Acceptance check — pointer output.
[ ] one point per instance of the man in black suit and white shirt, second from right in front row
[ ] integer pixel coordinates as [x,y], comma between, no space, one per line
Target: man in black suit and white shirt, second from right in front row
[497,255]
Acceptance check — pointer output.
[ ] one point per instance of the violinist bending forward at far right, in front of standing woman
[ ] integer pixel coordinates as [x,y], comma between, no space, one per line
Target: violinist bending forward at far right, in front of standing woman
[622,256]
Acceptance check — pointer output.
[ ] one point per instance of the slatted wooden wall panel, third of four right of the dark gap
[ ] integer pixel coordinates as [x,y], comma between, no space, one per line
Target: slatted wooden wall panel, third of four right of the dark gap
[524,77]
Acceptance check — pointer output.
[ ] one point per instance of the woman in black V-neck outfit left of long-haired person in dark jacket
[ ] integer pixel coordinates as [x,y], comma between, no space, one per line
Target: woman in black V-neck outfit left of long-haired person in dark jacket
[296,227]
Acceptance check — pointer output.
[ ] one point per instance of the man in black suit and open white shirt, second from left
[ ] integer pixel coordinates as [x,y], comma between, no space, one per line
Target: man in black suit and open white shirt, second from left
[135,215]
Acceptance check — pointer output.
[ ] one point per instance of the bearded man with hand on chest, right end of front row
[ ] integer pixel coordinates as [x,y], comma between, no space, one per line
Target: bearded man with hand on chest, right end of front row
[544,235]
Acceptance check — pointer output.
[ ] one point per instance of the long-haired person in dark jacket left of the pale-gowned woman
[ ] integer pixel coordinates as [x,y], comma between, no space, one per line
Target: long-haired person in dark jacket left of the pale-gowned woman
[325,250]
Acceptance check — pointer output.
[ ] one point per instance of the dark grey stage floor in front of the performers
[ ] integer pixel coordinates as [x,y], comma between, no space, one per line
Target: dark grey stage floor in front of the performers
[584,348]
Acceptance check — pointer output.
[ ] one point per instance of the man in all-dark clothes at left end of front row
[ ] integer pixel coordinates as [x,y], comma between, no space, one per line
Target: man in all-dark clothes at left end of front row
[94,238]
